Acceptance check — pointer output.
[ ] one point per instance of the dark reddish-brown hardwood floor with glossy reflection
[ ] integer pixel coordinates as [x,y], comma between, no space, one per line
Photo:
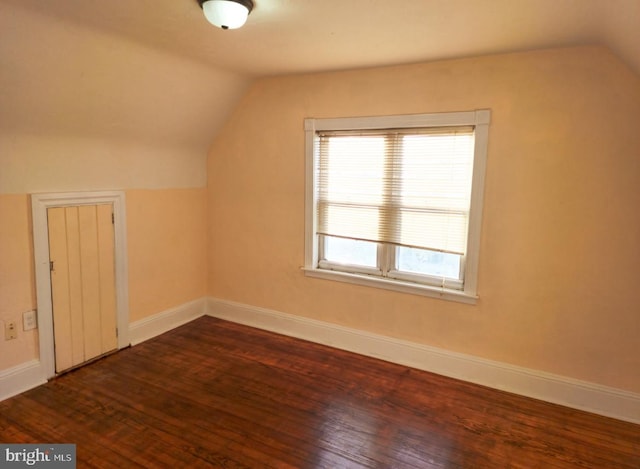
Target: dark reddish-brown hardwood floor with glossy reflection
[217,394]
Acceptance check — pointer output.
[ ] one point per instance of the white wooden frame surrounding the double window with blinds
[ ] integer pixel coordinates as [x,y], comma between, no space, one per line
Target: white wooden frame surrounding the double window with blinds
[403,282]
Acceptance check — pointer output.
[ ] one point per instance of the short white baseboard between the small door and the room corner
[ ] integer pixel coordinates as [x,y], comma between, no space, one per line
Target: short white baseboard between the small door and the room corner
[152,326]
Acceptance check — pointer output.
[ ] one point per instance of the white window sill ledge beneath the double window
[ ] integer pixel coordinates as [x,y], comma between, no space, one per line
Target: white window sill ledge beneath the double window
[392,284]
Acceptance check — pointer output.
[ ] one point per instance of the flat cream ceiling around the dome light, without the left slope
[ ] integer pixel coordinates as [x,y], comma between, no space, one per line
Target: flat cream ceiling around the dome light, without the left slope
[291,36]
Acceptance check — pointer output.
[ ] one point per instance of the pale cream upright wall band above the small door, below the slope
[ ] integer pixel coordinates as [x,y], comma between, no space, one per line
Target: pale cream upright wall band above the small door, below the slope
[35,163]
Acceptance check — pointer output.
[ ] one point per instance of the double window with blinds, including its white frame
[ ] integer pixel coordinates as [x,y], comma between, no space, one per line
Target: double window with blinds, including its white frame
[395,201]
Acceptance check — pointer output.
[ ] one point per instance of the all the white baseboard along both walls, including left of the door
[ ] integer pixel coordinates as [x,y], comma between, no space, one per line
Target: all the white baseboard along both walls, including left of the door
[598,399]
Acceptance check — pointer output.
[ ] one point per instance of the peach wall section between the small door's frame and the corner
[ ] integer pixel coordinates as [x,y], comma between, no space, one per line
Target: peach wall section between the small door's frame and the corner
[167,242]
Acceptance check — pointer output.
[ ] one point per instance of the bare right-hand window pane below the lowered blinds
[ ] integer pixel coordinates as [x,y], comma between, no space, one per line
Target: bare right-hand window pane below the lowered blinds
[423,261]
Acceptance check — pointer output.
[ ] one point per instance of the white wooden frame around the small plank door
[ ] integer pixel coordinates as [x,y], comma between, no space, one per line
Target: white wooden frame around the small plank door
[40,203]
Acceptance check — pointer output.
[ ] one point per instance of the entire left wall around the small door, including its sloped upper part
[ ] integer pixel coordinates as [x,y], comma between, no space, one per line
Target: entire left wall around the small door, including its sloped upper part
[86,109]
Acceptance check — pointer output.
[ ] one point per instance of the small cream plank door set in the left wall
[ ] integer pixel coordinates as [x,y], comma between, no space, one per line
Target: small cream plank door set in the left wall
[82,264]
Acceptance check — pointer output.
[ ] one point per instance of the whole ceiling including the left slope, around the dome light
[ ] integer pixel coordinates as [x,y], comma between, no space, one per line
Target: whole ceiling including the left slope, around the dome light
[156,69]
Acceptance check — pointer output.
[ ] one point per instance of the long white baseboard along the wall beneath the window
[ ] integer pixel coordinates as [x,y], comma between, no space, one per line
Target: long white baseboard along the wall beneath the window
[598,399]
